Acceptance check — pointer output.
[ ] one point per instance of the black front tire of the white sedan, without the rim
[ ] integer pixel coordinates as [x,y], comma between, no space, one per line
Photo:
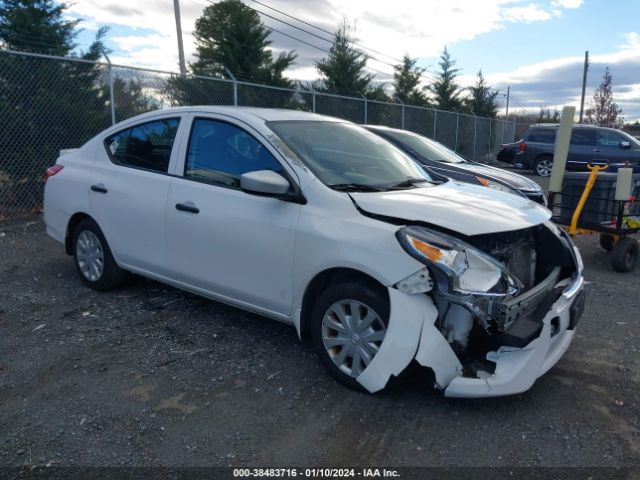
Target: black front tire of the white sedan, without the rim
[363,292]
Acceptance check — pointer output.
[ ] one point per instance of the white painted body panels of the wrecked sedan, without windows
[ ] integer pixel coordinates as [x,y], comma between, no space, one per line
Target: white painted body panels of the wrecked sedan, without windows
[261,253]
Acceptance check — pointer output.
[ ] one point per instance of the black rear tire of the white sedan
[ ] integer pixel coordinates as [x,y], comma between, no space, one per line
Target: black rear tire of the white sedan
[111,275]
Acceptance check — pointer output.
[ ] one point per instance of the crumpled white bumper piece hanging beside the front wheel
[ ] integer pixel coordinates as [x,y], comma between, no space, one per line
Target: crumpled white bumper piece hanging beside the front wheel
[411,334]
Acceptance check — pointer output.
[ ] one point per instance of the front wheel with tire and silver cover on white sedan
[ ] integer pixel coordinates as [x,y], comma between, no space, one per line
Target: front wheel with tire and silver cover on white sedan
[348,325]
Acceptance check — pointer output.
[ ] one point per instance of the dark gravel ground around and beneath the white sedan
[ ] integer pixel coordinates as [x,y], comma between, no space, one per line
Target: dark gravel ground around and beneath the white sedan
[149,375]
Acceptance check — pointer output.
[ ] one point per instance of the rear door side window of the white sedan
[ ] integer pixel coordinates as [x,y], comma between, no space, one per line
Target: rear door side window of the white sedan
[146,146]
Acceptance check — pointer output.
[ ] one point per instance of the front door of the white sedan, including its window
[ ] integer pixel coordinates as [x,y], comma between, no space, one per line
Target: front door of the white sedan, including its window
[220,239]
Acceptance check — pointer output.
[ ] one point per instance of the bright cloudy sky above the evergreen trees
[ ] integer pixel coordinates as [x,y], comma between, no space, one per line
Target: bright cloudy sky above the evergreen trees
[536,47]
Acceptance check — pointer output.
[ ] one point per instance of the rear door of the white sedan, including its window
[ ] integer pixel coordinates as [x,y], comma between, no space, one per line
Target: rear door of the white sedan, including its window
[129,188]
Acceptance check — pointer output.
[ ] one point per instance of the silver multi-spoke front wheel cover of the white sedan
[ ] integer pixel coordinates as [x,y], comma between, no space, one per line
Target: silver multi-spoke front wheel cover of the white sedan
[352,333]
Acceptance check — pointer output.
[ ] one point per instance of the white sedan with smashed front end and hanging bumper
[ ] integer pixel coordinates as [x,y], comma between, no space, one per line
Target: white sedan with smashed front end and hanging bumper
[319,223]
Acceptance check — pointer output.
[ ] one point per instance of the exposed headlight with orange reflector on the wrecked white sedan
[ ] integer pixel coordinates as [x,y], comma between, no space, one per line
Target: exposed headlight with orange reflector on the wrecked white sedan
[458,267]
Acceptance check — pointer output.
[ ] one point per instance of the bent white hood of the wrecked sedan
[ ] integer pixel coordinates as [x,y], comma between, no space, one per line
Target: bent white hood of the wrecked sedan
[460,207]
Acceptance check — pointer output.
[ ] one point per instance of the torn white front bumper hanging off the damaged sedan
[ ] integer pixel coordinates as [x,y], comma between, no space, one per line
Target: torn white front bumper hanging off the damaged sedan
[412,334]
